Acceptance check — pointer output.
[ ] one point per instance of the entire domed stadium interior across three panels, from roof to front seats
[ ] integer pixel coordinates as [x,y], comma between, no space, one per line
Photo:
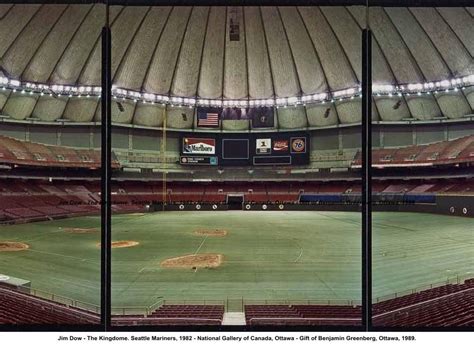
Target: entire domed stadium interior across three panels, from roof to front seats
[237,165]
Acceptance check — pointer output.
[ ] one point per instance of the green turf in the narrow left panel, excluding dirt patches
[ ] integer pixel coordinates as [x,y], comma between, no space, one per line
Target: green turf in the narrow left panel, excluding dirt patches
[58,262]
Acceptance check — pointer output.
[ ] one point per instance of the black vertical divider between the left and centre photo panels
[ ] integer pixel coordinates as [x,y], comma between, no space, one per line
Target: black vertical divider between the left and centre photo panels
[105,196]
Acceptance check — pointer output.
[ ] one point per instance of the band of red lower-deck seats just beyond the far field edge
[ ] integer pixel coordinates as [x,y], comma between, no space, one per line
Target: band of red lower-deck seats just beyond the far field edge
[22,200]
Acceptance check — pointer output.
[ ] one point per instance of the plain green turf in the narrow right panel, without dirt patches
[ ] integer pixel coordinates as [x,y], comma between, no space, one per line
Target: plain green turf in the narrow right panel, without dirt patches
[415,250]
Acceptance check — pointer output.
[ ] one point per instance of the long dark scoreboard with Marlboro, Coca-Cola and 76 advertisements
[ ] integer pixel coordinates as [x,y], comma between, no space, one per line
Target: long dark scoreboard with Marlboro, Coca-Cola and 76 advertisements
[250,149]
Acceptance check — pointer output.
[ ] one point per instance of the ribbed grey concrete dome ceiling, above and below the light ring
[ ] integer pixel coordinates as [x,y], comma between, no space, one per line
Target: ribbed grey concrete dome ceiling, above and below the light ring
[235,53]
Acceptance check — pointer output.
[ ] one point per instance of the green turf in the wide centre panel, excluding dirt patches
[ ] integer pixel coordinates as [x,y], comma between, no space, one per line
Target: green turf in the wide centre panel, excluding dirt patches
[267,255]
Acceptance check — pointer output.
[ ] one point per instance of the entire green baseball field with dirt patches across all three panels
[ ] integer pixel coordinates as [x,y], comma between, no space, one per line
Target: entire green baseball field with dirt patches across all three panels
[258,255]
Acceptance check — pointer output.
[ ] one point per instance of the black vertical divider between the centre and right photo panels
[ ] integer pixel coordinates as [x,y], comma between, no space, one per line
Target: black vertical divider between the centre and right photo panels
[366,178]
